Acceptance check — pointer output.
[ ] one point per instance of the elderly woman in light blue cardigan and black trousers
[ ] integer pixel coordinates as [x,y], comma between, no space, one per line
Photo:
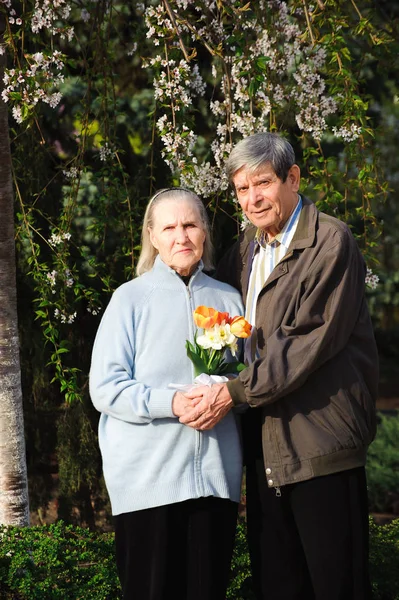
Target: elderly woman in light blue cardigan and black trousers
[174,490]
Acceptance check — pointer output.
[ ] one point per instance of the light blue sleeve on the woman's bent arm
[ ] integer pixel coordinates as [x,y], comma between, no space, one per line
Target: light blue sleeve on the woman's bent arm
[113,387]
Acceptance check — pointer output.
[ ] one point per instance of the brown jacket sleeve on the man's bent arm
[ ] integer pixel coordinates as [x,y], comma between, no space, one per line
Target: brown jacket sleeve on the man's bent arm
[325,311]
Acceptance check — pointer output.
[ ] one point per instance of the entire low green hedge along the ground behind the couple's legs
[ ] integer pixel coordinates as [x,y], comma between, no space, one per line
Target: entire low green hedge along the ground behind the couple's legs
[68,562]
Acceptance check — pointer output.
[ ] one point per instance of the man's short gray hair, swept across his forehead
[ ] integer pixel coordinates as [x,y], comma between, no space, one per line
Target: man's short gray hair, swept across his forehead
[255,150]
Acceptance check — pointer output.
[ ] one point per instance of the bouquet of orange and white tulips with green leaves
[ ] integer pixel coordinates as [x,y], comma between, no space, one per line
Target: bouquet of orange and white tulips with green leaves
[220,332]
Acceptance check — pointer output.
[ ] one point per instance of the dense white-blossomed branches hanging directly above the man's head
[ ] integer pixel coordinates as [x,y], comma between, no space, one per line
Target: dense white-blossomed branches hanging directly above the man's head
[271,65]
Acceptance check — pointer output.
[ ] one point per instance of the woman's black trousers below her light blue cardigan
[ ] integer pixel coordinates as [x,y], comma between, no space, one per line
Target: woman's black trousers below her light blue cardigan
[179,551]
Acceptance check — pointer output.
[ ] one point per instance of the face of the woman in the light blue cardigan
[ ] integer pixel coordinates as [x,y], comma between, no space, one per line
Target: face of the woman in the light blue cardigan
[178,234]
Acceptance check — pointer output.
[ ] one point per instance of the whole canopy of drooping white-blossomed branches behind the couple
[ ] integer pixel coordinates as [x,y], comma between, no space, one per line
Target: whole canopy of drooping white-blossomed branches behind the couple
[110,100]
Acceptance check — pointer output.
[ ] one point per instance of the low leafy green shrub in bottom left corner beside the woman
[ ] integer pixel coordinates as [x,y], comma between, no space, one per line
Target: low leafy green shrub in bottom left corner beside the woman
[57,561]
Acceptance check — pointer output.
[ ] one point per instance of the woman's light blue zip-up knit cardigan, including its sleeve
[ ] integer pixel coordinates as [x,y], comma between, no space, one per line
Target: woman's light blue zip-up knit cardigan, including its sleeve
[149,457]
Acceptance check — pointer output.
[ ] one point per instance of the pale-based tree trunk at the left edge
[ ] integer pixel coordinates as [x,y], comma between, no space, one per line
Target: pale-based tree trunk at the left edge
[14,504]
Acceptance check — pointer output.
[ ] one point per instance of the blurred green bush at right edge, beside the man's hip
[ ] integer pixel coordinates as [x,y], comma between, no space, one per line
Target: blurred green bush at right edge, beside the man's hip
[383,466]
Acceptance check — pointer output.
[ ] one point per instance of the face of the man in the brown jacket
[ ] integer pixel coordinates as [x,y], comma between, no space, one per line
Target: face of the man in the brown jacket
[265,199]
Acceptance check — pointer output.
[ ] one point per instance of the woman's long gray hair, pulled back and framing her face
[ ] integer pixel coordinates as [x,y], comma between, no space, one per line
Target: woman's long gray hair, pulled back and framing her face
[148,253]
